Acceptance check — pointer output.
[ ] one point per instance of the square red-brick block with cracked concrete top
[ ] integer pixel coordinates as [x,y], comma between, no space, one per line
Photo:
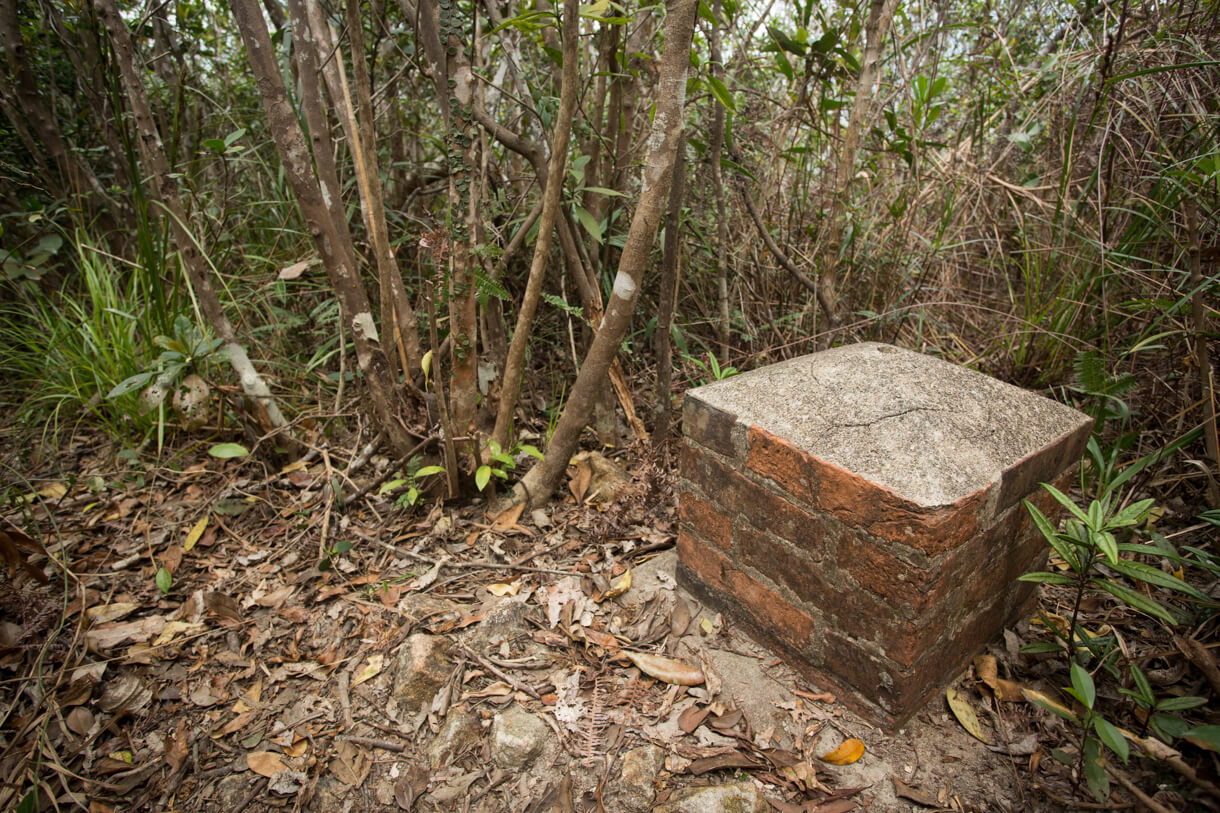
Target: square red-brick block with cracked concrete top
[859,510]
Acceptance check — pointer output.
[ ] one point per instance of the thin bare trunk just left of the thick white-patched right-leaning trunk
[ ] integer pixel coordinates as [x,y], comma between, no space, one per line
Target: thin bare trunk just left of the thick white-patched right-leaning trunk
[557,165]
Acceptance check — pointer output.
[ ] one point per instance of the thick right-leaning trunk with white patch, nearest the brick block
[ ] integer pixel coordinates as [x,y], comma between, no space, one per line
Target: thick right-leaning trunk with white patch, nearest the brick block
[667,134]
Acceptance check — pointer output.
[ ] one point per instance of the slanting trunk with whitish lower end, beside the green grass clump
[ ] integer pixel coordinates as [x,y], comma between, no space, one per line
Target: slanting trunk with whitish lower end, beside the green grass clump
[164,189]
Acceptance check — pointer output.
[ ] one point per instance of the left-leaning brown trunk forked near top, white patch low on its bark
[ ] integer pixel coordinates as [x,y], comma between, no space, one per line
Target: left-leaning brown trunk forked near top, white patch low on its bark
[331,235]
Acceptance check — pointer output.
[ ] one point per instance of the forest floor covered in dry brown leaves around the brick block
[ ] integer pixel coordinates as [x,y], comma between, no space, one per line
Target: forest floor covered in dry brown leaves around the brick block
[197,659]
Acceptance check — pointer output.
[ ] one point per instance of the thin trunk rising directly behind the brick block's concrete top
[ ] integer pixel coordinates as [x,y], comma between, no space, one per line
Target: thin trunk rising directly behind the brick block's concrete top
[881,13]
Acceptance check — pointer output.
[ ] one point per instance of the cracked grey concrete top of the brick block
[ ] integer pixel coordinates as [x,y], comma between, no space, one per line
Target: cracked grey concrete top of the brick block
[929,430]
